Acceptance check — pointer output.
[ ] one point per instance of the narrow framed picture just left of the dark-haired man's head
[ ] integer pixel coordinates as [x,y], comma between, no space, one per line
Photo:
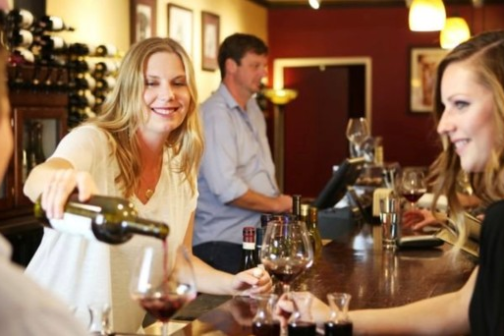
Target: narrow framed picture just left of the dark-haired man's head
[210,27]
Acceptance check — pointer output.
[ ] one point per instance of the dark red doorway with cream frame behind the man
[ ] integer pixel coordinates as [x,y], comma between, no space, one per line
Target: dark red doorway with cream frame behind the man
[313,125]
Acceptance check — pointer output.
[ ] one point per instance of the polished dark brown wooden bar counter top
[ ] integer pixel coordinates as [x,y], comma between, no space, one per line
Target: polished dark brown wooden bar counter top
[357,265]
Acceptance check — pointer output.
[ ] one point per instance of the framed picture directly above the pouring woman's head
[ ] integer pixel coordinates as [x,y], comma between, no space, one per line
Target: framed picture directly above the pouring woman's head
[142,19]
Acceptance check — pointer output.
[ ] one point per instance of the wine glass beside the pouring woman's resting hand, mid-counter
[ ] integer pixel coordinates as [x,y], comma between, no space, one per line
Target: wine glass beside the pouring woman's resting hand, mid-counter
[286,251]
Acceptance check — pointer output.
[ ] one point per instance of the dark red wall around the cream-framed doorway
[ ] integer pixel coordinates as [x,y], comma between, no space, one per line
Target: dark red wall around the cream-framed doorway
[383,35]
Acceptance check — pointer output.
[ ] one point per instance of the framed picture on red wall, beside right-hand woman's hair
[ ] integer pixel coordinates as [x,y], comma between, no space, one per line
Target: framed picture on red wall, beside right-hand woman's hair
[423,67]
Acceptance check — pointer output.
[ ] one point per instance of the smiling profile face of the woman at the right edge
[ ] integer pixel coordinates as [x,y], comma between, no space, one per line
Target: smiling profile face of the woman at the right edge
[467,119]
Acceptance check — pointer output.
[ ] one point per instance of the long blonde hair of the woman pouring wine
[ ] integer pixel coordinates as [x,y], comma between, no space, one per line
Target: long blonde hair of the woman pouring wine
[121,116]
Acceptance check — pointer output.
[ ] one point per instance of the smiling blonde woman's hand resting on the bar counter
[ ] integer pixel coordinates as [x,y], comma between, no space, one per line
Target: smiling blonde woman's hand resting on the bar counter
[252,281]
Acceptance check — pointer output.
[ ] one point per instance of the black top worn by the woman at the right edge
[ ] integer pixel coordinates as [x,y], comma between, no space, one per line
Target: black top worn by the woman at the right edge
[486,311]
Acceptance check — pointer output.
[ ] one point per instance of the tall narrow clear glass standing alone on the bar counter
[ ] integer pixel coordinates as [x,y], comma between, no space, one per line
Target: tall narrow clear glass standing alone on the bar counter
[390,214]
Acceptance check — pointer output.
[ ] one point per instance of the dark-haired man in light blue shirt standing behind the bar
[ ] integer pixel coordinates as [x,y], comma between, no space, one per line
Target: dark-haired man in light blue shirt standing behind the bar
[237,177]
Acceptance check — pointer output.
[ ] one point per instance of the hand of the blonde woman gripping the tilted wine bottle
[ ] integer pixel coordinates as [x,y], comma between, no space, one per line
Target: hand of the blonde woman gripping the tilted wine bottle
[61,184]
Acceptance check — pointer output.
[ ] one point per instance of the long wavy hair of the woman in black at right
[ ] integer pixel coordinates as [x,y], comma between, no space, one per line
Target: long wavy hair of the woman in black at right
[484,54]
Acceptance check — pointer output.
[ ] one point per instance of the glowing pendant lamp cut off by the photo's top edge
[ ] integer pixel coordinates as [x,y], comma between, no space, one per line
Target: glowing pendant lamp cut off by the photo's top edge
[427,15]
